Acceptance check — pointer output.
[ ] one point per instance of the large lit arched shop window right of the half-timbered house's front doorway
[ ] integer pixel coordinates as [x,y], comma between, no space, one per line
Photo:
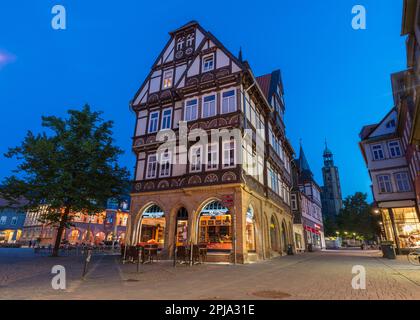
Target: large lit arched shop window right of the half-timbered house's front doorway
[215,227]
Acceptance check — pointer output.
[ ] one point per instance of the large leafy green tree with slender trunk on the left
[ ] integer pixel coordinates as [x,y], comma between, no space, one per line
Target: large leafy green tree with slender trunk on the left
[73,169]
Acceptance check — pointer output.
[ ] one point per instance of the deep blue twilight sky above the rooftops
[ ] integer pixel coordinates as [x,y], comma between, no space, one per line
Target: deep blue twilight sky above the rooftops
[336,79]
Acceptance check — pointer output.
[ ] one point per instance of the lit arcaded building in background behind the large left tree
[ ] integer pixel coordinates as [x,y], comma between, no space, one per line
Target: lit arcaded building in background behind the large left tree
[107,226]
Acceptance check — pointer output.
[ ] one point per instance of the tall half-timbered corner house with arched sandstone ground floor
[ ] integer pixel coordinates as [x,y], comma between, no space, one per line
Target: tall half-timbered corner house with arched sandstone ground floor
[232,194]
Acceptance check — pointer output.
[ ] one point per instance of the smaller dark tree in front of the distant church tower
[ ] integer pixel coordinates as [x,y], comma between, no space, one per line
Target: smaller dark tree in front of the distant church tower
[356,217]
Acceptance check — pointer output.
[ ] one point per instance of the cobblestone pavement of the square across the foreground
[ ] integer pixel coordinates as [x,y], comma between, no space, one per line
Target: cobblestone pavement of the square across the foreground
[321,275]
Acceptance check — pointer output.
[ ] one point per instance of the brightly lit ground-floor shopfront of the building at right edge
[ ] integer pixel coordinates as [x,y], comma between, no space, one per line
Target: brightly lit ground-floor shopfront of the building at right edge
[405,223]
